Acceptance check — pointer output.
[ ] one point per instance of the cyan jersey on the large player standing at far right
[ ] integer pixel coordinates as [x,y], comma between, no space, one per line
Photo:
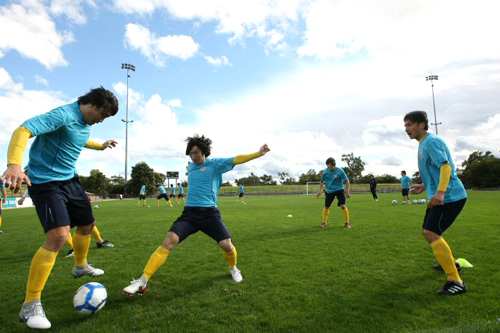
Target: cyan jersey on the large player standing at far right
[432,154]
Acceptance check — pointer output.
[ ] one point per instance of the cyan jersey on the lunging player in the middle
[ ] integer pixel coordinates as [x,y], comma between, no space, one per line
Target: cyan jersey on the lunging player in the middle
[204,181]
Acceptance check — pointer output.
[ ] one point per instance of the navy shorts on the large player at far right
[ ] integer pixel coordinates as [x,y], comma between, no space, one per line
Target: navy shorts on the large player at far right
[439,218]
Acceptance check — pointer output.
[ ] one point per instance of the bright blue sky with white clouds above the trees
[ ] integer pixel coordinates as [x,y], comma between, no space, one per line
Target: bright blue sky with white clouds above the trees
[312,79]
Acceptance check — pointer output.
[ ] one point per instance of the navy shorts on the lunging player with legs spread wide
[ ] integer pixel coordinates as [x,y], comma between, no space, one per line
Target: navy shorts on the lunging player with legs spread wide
[205,219]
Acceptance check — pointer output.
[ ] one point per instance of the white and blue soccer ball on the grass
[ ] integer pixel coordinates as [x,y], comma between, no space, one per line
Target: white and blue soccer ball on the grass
[90,298]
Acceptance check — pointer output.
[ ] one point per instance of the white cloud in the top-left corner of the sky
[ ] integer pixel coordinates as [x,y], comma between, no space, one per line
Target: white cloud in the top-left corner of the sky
[33,33]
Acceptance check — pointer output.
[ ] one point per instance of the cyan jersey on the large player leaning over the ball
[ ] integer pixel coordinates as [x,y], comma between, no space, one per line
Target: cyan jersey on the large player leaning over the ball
[61,135]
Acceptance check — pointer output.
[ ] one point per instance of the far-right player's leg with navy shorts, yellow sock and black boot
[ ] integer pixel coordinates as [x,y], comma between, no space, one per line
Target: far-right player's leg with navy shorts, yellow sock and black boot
[437,220]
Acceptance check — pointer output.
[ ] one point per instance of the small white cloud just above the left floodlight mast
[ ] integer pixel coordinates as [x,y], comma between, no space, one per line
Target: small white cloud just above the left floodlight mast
[158,49]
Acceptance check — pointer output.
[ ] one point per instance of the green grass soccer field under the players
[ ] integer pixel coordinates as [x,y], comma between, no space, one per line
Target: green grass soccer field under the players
[375,277]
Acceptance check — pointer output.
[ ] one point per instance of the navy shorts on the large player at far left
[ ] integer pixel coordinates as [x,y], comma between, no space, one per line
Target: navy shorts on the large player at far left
[61,203]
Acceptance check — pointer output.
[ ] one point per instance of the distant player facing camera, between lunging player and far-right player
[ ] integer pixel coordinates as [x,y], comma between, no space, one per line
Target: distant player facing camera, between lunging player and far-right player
[334,179]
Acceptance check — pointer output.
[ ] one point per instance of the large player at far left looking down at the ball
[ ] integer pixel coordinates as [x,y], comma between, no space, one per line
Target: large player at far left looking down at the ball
[60,200]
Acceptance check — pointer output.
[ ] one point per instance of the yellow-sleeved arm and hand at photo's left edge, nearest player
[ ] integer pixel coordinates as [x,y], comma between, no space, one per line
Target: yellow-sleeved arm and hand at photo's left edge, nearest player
[14,175]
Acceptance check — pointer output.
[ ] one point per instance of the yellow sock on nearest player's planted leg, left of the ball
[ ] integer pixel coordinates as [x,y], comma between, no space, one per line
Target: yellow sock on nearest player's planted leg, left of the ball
[41,266]
